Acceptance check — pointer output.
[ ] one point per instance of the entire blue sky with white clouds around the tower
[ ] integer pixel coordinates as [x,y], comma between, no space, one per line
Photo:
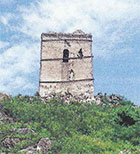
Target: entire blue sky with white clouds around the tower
[114,24]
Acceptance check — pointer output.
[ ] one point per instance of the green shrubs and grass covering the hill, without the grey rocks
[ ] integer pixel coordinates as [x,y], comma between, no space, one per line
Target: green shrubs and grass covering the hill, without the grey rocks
[74,128]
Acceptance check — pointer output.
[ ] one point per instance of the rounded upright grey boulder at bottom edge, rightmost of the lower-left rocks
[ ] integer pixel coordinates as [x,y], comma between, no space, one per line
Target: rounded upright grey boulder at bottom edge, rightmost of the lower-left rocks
[43,145]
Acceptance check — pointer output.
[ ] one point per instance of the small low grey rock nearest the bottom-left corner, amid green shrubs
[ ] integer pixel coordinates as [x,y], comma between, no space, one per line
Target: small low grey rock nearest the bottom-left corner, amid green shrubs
[10,142]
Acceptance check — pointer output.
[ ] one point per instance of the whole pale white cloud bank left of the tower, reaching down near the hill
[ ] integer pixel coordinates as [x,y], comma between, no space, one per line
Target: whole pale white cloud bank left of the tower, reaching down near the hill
[16,63]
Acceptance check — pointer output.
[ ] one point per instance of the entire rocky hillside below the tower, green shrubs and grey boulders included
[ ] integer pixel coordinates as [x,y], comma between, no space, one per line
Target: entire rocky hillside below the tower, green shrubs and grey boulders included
[31,133]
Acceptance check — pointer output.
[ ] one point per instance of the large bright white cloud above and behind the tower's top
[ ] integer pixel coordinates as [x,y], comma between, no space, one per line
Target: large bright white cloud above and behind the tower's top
[109,21]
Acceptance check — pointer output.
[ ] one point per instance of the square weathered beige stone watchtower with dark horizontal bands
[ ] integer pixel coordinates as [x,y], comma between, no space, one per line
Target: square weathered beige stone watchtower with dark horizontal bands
[66,65]
